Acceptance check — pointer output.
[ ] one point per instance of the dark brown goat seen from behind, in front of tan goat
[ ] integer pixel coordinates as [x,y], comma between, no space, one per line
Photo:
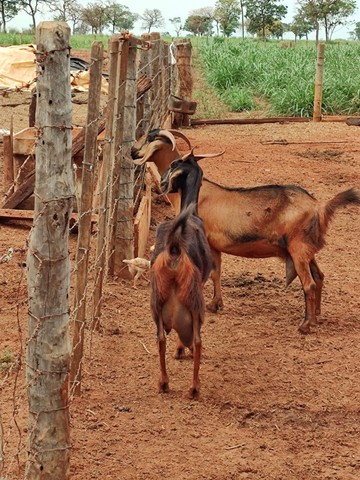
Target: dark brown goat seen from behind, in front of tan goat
[181,264]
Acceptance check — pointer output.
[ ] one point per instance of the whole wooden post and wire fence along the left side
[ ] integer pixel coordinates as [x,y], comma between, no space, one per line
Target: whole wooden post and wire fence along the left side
[90,169]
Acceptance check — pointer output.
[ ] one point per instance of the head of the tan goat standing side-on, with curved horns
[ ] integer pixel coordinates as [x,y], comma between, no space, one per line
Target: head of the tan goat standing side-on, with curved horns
[159,147]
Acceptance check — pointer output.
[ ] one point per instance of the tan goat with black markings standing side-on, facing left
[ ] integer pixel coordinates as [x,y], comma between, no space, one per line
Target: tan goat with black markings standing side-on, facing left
[282,221]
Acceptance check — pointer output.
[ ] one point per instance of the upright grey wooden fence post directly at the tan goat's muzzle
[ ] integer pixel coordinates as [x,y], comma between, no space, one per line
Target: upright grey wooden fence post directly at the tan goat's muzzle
[124,247]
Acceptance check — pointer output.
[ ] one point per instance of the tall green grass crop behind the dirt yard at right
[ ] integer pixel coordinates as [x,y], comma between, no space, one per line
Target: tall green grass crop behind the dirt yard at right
[245,70]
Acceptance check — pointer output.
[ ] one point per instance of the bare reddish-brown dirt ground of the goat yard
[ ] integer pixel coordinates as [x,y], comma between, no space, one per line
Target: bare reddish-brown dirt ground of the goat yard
[274,404]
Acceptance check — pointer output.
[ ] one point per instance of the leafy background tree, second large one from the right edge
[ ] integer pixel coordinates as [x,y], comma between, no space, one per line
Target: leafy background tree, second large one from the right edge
[262,14]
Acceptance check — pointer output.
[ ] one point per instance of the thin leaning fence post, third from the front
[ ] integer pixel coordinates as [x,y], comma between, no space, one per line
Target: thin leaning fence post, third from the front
[104,180]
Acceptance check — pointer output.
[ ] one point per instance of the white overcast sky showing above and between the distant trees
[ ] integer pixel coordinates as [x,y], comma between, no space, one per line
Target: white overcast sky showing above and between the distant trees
[171,9]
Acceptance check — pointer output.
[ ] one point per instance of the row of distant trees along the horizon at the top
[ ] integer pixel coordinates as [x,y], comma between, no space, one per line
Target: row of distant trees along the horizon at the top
[262,18]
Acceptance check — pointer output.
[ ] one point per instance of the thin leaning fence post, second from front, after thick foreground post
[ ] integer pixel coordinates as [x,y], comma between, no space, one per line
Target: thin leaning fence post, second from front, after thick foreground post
[85,211]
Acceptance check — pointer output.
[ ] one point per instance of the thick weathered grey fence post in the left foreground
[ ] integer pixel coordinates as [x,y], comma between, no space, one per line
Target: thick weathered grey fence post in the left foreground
[48,274]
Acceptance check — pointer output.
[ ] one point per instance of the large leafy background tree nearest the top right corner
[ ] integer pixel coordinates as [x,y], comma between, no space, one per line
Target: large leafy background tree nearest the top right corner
[329,13]
